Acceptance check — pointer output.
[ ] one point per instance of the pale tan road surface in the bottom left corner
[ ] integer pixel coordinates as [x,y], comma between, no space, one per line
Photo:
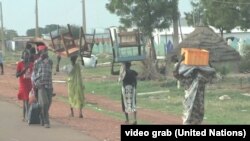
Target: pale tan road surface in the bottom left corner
[13,129]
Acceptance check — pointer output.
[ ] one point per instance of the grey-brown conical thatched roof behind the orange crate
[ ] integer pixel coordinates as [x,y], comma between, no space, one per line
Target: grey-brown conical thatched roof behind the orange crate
[205,38]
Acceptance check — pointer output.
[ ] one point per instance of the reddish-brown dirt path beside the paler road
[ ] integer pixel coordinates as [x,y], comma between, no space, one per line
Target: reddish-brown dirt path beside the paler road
[95,124]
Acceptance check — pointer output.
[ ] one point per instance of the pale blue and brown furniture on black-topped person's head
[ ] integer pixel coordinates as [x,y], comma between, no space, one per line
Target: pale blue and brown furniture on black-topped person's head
[127,46]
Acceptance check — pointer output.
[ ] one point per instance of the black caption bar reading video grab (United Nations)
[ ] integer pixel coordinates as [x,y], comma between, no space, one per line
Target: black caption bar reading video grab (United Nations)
[184,132]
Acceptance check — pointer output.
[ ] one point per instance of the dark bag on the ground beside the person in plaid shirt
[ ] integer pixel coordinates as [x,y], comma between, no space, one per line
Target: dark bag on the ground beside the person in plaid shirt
[34,113]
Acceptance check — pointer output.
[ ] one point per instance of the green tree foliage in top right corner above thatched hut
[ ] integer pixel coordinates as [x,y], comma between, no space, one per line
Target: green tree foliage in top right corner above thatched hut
[234,14]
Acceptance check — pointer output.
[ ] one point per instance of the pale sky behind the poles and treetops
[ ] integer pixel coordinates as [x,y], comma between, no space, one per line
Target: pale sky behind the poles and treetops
[19,15]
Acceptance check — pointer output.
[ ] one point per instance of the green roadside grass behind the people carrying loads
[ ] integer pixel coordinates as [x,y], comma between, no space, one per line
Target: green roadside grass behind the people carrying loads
[229,111]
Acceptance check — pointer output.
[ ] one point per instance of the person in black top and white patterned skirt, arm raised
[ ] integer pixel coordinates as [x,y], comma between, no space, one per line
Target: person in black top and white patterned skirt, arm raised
[128,89]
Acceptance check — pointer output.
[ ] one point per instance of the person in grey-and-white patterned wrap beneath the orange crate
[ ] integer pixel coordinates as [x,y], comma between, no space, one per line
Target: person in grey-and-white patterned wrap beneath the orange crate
[194,80]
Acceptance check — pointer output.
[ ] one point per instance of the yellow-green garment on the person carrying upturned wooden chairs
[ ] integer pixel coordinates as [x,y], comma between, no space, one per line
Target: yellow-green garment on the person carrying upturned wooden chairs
[76,87]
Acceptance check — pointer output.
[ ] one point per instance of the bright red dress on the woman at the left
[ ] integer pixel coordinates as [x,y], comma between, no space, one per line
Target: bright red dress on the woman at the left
[25,84]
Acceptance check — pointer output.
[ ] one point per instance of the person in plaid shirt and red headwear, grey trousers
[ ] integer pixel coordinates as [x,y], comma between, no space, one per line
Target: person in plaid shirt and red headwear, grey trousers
[43,82]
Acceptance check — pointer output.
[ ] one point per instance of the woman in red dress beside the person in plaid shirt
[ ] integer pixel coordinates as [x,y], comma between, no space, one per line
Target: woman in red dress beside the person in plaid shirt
[23,72]
